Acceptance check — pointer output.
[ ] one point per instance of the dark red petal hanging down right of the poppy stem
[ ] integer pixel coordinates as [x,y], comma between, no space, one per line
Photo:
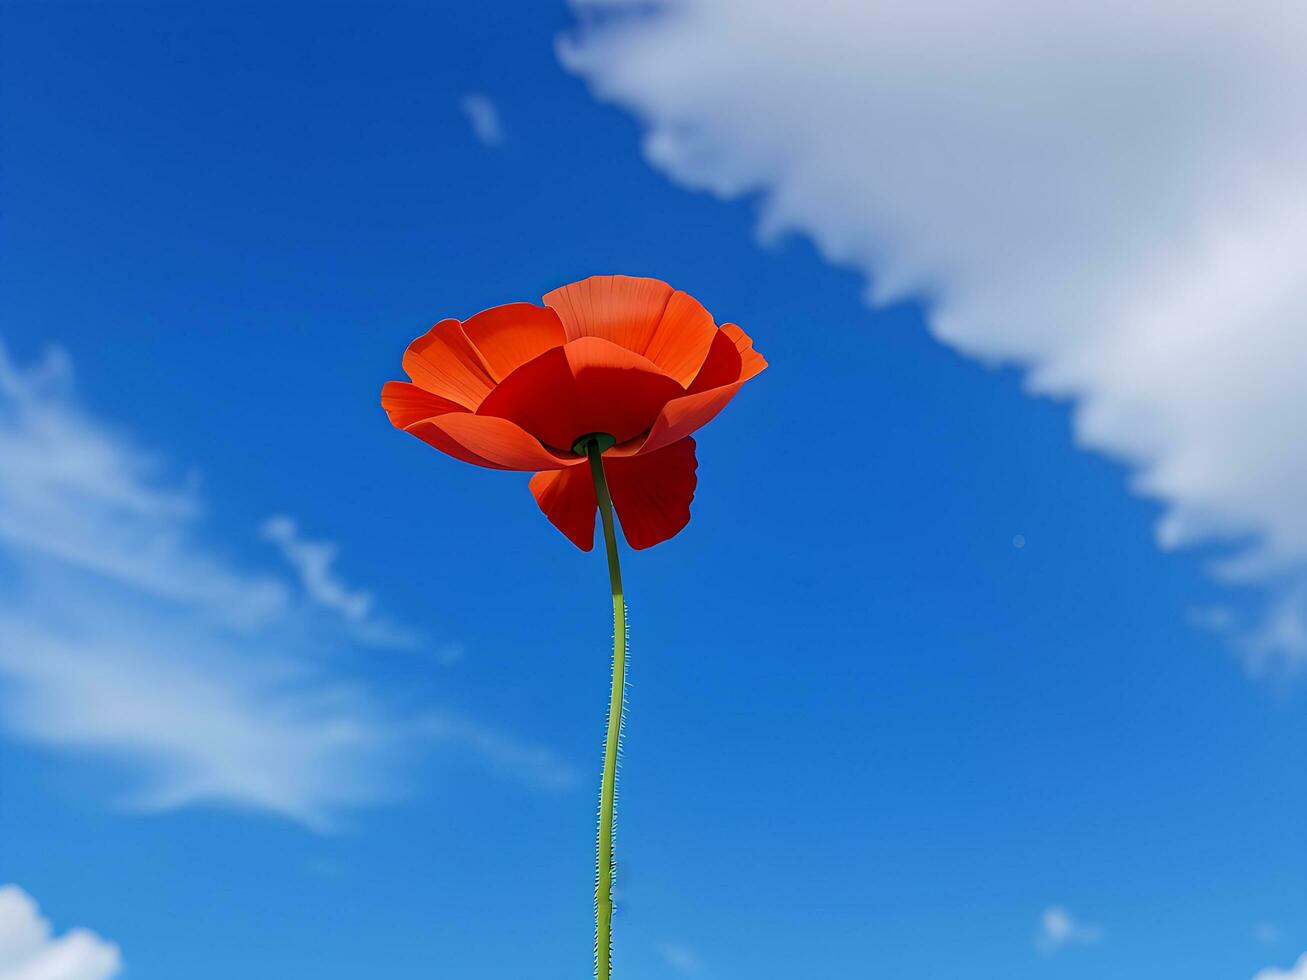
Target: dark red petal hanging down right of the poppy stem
[653,492]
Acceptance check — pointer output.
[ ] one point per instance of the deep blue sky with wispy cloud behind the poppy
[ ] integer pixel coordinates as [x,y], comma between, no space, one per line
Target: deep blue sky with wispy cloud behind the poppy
[288,694]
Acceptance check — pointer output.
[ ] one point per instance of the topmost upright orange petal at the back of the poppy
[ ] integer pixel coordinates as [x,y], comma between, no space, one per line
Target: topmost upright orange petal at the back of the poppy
[645,316]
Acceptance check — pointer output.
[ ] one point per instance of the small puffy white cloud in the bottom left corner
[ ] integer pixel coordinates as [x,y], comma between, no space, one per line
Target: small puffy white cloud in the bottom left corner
[29,949]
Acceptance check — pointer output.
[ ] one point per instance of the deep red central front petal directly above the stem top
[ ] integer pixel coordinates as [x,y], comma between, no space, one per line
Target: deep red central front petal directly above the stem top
[589,386]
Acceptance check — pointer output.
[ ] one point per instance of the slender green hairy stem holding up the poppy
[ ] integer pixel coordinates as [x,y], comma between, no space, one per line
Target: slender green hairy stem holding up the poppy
[608,789]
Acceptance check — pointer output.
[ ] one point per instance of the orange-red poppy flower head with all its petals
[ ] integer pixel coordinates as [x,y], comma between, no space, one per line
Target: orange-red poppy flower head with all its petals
[517,386]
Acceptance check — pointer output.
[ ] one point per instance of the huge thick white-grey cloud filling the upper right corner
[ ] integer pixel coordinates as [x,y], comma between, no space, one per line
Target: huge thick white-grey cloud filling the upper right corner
[1112,195]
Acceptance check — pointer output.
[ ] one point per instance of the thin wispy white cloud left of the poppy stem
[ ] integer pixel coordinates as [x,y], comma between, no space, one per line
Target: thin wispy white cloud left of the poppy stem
[126,638]
